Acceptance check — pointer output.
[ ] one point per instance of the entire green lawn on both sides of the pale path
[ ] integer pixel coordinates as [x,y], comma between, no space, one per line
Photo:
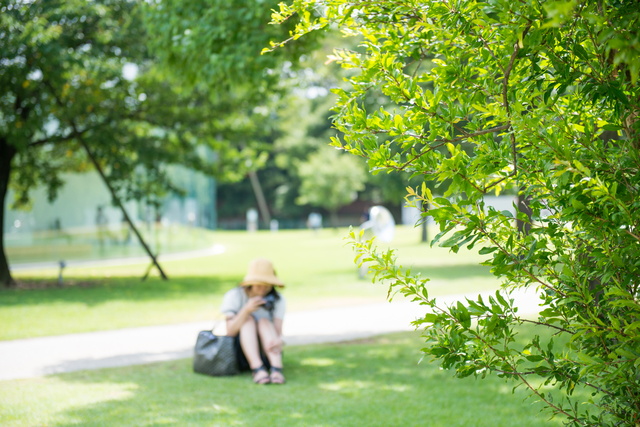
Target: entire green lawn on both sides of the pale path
[373,382]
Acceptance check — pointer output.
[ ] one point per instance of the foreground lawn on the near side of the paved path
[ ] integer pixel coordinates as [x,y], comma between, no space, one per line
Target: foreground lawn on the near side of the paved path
[374,382]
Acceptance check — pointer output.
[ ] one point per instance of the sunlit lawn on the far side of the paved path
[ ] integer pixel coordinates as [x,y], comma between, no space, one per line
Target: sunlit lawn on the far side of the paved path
[318,270]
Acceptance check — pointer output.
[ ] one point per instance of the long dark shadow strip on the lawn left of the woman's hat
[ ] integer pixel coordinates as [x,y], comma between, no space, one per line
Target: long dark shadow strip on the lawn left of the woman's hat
[92,291]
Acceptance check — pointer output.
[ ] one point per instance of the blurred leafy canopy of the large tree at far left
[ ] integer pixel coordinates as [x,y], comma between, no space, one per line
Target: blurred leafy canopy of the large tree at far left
[78,77]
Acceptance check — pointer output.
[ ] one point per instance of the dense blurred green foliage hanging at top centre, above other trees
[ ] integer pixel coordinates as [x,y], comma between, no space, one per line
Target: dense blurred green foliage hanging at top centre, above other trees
[218,43]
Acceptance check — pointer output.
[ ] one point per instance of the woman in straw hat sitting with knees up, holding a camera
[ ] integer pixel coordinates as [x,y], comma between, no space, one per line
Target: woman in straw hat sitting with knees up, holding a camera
[254,312]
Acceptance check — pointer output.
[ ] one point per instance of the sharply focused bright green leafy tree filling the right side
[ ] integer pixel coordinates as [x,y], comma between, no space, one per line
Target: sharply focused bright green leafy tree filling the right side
[524,96]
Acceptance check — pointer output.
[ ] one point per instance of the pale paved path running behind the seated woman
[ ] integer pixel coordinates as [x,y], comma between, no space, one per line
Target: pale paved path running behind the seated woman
[34,357]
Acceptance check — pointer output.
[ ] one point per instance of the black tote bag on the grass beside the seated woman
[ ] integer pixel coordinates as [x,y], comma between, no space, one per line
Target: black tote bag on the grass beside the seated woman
[215,355]
